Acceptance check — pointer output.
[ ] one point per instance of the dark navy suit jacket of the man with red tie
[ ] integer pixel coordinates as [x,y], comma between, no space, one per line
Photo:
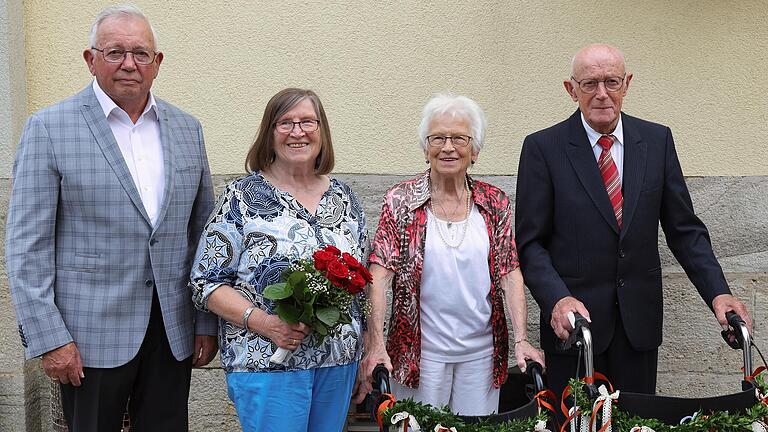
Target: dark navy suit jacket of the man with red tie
[570,244]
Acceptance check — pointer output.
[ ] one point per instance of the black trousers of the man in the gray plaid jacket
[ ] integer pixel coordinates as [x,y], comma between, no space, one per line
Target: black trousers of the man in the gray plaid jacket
[154,386]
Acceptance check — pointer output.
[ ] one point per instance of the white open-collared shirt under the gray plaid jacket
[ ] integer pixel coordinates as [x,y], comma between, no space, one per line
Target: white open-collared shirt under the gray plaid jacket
[141,148]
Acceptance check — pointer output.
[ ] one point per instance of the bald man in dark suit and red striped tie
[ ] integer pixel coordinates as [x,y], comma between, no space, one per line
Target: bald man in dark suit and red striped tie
[591,192]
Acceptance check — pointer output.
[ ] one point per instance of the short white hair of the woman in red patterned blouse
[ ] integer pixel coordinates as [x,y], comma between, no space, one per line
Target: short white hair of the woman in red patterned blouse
[455,106]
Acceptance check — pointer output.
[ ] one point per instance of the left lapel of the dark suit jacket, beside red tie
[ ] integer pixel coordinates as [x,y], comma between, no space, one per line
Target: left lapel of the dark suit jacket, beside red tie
[583,161]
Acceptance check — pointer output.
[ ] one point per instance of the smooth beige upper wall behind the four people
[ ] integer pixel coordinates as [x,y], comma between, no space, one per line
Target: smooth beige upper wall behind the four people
[699,67]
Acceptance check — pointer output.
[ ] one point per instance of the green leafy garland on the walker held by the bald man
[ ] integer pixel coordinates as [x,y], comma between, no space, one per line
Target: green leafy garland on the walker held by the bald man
[715,422]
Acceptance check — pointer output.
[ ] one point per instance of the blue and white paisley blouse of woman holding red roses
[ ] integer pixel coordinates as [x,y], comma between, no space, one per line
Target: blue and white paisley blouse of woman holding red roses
[254,233]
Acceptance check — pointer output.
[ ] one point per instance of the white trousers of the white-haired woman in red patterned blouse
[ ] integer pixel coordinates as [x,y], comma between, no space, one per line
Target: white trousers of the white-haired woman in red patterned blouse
[465,387]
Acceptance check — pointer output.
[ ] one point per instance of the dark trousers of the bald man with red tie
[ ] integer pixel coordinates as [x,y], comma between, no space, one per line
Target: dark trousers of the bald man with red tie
[627,369]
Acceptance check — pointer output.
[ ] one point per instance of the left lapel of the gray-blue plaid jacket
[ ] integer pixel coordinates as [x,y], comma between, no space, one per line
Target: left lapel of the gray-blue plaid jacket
[94,118]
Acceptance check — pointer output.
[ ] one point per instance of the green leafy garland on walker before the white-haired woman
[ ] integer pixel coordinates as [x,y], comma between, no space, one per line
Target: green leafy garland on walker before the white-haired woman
[429,417]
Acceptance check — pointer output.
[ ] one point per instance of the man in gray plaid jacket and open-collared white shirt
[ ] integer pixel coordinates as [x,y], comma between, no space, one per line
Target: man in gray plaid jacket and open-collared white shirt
[111,189]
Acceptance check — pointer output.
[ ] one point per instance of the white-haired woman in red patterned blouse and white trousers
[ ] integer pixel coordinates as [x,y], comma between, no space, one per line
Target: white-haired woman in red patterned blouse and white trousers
[445,245]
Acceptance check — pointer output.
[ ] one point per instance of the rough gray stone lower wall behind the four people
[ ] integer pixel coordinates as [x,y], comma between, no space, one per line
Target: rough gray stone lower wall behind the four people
[694,361]
